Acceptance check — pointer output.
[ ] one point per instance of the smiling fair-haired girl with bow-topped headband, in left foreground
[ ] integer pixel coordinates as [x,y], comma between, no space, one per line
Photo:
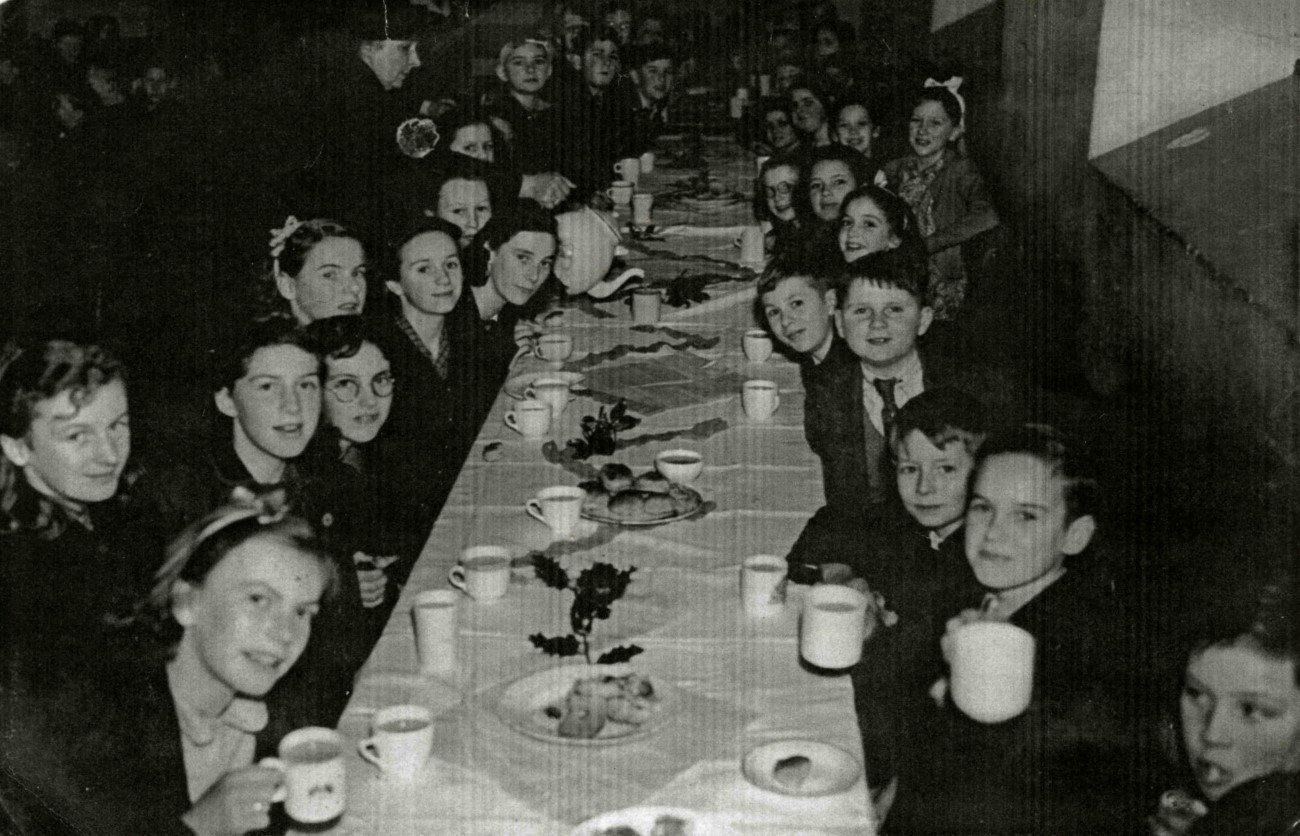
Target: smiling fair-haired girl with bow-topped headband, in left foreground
[159,734]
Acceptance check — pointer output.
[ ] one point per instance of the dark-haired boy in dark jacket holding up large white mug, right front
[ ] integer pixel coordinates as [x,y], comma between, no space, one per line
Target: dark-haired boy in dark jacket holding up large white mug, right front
[1063,766]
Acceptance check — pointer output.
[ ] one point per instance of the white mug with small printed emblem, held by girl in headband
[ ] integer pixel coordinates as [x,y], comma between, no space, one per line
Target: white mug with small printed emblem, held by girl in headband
[315,787]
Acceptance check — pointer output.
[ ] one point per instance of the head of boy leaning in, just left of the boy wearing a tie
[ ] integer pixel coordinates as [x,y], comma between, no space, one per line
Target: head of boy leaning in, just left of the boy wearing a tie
[796,301]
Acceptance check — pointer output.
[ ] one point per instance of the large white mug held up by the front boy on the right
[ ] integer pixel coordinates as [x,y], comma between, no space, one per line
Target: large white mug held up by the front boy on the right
[993,670]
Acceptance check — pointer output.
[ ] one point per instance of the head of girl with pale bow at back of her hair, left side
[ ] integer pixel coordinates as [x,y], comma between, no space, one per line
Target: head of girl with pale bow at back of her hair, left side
[319,268]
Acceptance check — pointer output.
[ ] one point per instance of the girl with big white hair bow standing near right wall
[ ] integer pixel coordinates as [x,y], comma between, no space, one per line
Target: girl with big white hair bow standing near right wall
[944,189]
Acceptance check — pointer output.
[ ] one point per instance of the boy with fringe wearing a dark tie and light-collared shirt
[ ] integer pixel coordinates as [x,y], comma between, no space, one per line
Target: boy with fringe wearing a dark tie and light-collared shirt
[851,408]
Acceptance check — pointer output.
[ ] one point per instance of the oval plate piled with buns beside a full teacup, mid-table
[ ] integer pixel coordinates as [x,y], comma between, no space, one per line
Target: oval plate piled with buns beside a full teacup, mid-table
[619,497]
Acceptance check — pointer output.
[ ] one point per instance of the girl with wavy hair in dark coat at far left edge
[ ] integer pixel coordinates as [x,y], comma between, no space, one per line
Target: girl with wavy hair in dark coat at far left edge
[66,532]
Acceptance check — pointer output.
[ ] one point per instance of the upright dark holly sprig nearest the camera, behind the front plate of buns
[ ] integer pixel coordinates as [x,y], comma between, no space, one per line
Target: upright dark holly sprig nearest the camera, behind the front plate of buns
[595,592]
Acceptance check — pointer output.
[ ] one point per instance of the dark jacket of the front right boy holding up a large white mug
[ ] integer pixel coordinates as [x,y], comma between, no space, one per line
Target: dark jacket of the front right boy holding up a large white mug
[1067,765]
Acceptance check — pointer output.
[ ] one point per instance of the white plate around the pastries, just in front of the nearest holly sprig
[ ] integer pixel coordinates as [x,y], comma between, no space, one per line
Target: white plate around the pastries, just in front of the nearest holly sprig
[523,705]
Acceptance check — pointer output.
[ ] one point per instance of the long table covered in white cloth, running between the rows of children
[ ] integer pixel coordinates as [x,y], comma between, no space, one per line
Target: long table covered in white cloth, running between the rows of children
[739,679]
